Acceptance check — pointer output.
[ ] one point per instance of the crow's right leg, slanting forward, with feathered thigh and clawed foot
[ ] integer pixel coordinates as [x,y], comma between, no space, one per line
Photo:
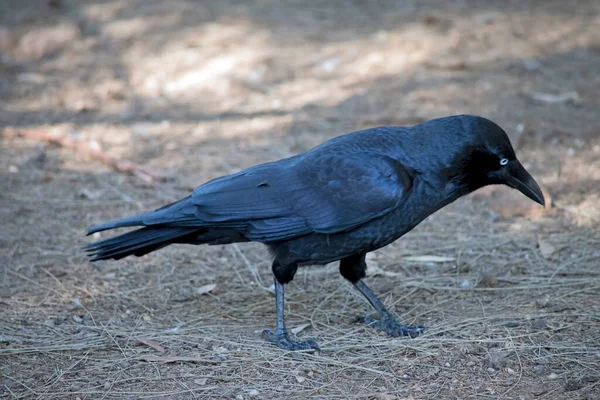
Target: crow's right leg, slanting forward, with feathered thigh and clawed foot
[353,268]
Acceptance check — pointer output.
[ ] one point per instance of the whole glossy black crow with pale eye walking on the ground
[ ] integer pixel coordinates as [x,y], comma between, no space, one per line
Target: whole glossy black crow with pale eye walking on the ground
[351,195]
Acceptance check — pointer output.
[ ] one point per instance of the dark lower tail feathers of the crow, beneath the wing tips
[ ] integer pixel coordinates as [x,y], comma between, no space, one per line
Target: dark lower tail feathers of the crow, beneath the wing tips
[139,242]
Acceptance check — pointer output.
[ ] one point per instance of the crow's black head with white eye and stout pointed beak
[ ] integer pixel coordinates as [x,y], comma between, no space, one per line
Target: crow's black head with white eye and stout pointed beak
[490,159]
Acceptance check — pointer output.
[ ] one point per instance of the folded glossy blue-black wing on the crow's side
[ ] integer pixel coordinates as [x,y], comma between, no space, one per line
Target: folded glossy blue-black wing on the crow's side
[325,194]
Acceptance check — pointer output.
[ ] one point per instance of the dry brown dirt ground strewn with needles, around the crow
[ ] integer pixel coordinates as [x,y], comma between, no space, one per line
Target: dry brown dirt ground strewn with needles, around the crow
[196,89]
